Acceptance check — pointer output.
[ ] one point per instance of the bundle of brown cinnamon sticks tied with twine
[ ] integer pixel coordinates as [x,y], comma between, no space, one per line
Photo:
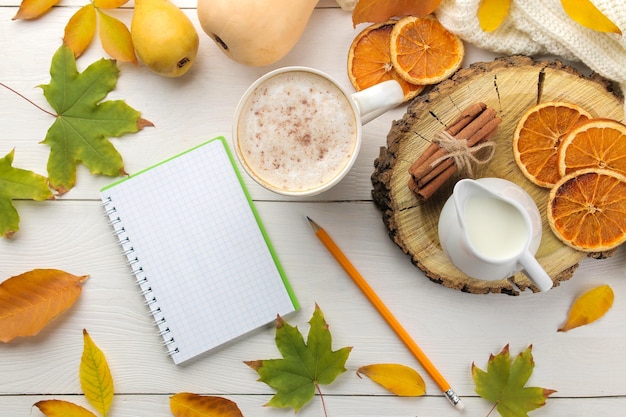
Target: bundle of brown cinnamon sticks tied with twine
[473,127]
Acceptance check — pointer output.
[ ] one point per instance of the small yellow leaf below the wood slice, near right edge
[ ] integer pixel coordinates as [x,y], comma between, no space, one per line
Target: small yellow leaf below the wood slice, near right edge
[589,307]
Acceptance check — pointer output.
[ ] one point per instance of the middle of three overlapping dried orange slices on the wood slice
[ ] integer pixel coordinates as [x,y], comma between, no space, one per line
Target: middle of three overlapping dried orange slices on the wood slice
[596,143]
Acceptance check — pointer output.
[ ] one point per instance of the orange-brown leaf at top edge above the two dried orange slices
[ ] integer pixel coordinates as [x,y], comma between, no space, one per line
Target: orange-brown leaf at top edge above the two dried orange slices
[377,11]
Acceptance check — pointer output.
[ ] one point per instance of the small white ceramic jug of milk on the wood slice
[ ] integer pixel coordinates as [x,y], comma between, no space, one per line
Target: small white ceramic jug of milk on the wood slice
[490,229]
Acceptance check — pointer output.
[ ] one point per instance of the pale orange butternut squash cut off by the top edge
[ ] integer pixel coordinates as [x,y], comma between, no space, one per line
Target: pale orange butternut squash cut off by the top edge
[255,32]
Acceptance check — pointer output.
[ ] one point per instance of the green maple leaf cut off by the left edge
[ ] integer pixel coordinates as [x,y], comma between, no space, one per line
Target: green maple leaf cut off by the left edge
[16,183]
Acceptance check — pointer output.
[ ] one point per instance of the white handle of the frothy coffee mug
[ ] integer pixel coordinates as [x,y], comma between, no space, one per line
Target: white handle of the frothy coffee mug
[378,99]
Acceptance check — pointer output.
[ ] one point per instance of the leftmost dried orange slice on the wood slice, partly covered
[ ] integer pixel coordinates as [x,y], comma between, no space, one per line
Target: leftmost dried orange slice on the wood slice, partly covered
[538,135]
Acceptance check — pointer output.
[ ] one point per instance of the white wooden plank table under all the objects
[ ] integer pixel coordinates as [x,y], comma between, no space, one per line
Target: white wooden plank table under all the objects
[586,366]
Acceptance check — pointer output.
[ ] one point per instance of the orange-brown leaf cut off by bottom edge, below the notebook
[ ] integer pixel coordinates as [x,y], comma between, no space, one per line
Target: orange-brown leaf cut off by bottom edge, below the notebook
[186,404]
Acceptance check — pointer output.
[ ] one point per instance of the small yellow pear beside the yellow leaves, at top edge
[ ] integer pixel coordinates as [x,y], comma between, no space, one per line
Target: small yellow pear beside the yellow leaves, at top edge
[164,38]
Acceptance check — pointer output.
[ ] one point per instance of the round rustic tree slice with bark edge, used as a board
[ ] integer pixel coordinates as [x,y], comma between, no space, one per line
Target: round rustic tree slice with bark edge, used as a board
[510,86]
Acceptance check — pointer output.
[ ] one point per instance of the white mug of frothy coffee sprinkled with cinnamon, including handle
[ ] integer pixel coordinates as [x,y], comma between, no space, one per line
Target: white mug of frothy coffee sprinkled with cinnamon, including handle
[297,132]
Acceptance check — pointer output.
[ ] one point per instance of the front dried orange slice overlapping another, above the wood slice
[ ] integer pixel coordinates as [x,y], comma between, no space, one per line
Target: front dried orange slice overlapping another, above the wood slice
[423,51]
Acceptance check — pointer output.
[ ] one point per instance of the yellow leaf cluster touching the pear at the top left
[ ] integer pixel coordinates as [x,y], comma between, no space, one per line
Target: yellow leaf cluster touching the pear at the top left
[114,35]
